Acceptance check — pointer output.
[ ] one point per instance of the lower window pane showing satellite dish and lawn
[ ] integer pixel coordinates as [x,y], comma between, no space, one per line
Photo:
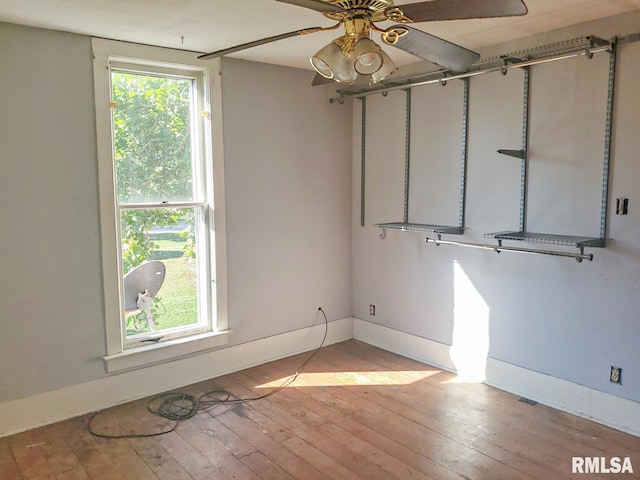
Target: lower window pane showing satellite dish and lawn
[167,235]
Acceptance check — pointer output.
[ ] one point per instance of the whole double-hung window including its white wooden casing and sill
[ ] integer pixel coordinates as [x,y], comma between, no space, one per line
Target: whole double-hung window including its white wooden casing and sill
[161,216]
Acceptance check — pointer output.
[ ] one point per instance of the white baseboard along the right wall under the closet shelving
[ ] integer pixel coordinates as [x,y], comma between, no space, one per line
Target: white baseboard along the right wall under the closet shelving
[601,407]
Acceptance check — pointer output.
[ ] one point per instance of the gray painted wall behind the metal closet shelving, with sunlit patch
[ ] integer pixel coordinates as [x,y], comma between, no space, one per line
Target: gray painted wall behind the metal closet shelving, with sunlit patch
[551,315]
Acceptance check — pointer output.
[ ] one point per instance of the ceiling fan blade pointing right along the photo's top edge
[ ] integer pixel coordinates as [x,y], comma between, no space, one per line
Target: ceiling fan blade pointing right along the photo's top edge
[462,9]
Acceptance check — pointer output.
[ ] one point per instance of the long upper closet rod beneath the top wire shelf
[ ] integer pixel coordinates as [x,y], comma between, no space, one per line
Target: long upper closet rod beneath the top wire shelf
[502,68]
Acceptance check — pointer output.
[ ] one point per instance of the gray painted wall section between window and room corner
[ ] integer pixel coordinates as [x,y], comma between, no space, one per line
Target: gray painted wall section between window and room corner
[288,186]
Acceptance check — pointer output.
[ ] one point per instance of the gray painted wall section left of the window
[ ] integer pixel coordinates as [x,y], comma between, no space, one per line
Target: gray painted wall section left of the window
[51,305]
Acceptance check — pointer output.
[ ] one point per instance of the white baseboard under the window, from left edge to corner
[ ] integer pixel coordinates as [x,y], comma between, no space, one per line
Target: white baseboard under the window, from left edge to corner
[50,407]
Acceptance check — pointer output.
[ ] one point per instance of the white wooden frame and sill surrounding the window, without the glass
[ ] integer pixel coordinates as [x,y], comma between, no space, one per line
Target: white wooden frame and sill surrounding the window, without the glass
[119,355]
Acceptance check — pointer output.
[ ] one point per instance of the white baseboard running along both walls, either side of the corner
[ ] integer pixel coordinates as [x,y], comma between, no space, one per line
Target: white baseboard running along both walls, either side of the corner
[50,407]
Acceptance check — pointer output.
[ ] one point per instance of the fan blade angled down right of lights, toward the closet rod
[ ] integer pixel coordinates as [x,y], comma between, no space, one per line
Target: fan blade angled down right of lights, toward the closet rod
[434,49]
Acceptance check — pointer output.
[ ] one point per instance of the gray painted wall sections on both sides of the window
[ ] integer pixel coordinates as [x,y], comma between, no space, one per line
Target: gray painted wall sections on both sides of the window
[288,208]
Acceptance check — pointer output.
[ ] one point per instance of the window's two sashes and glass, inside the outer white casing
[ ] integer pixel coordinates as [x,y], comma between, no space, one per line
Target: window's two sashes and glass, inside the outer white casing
[161,199]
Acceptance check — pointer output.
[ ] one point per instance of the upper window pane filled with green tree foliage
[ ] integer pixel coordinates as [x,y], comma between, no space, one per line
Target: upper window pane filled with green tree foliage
[152,137]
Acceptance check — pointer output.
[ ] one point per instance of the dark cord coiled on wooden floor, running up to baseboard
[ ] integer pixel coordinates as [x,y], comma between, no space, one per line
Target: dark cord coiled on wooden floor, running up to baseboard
[179,406]
